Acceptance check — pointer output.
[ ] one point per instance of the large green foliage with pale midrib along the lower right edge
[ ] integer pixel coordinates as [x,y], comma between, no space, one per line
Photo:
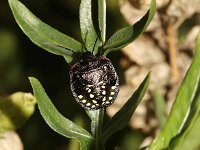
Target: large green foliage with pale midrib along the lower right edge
[185,111]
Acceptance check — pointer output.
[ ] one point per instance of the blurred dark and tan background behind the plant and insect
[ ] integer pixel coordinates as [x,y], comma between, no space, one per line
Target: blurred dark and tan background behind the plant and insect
[168,49]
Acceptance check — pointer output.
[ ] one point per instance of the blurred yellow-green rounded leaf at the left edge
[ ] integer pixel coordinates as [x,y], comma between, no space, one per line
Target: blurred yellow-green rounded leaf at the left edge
[15,110]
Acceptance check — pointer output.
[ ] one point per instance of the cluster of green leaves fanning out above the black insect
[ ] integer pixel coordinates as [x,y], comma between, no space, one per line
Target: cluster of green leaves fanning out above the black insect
[93,30]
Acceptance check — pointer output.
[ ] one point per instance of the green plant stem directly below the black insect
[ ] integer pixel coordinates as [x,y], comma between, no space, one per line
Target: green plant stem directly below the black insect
[98,128]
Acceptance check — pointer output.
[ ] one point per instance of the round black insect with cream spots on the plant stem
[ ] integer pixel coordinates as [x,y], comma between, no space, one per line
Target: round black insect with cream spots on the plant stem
[94,82]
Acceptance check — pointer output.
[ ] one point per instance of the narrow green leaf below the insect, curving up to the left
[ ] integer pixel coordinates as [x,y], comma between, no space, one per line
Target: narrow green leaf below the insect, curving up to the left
[54,119]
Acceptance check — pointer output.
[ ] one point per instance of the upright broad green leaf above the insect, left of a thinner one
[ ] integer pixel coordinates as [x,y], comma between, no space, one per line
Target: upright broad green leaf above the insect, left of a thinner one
[87,25]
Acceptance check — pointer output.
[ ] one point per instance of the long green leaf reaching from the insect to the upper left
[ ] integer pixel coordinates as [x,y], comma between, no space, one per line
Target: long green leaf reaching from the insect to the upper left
[42,34]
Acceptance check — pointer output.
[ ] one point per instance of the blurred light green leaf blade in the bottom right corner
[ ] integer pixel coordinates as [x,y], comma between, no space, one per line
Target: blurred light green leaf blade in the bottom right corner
[189,136]
